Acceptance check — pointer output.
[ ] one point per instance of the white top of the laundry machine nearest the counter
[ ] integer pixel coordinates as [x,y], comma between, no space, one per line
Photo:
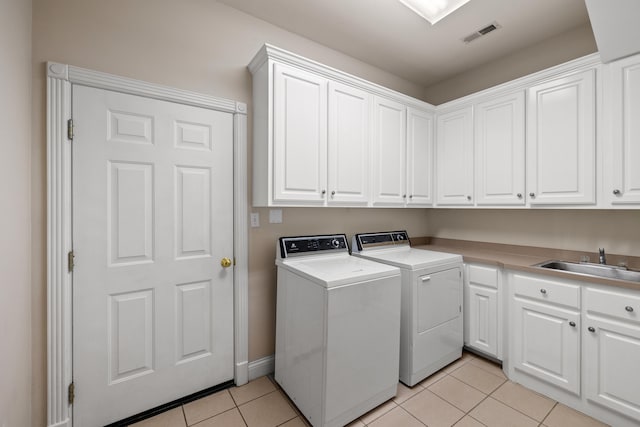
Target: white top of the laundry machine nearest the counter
[410,258]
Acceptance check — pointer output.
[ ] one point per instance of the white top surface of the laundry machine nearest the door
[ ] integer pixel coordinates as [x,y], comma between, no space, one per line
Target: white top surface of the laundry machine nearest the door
[337,270]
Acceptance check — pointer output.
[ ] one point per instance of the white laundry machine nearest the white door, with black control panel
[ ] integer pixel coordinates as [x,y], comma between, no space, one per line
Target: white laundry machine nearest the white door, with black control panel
[337,329]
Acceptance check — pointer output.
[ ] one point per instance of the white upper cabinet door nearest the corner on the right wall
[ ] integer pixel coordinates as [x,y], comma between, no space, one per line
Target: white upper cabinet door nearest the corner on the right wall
[454,158]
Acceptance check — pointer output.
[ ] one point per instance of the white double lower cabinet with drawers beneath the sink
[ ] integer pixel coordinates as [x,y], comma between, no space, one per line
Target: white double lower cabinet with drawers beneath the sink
[577,343]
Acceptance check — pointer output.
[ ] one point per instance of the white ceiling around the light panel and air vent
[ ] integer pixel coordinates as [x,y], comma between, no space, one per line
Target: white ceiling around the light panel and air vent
[388,35]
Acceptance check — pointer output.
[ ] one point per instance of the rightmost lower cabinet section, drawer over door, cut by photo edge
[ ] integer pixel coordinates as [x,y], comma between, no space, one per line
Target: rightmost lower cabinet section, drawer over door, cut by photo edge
[612,349]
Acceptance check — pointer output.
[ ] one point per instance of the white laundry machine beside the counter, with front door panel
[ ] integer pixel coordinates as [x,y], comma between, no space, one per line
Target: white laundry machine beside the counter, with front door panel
[431,334]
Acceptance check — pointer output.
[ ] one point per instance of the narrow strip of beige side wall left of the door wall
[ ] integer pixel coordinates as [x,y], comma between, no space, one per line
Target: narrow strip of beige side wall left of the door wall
[15,238]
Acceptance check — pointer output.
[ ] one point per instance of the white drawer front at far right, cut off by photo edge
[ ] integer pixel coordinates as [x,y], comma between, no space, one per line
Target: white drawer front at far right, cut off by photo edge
[613,303]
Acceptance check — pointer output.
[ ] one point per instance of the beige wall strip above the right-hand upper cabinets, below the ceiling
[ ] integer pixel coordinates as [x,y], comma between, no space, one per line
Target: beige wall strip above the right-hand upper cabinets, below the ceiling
[555,50]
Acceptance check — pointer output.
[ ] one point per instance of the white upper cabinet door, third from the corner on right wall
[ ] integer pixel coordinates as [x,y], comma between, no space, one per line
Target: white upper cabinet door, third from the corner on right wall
[561,141]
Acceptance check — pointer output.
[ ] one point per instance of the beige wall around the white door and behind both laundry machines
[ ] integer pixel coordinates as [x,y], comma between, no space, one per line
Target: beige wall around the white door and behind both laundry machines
[198,45]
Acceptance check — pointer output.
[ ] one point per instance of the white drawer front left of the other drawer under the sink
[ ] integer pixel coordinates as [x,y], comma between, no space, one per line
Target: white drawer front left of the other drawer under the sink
[550,291]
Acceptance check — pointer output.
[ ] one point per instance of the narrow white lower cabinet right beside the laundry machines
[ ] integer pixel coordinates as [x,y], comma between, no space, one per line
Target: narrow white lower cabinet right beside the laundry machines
[483,310]
